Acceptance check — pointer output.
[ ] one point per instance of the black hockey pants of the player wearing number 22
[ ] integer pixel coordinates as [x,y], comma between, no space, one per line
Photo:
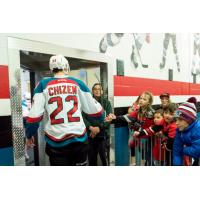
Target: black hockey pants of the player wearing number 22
[74,154]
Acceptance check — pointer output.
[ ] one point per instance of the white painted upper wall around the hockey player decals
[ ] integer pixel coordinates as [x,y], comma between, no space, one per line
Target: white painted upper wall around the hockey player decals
[151,53]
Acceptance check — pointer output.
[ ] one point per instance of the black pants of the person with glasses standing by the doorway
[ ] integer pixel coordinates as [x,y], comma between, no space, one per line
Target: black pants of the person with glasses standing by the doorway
[97,146]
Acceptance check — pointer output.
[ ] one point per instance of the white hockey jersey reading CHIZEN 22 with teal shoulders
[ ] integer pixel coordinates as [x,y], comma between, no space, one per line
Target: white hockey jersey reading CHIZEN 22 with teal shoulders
[63,99]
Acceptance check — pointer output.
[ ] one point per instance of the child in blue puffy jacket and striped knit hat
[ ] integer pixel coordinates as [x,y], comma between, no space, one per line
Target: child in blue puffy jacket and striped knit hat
[187,140]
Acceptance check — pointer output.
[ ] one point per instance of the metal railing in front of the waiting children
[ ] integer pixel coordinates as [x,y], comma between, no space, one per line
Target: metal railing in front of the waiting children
[154,152]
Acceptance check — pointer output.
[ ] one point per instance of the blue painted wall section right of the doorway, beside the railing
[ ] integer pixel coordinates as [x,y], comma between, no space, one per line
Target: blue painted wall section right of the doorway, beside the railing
[121,146]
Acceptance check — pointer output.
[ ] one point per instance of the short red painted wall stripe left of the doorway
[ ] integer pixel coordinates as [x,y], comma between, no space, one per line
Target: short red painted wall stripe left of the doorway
[4,82]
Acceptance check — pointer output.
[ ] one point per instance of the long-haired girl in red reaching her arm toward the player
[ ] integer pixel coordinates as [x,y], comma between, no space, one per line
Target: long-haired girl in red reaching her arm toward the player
[141,119]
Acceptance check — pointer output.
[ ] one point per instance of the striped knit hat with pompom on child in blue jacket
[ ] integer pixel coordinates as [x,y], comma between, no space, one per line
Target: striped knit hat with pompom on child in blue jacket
[187,111]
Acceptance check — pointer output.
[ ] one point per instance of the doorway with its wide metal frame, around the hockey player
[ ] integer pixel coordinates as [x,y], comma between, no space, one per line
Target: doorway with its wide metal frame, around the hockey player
[31,58]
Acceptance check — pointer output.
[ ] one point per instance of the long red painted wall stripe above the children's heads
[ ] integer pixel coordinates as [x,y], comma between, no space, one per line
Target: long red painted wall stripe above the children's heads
[133,86]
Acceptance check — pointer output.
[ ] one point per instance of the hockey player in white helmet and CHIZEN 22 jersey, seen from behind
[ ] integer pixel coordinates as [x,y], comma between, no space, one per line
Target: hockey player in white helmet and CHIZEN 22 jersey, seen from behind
[60,100]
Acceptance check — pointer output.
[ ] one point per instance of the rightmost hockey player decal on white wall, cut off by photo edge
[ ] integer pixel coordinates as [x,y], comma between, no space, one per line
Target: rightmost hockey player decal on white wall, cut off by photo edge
[196,55]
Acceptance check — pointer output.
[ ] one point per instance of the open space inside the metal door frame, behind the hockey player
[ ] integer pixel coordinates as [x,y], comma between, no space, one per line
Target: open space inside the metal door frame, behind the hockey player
[34,67]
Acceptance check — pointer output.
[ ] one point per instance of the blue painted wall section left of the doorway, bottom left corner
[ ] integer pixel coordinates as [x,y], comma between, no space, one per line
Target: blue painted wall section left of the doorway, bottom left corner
[6,156]
